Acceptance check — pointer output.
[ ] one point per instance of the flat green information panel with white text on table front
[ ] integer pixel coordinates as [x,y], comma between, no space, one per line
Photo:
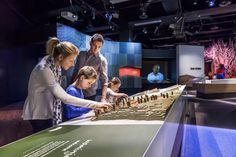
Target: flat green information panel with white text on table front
[85,141]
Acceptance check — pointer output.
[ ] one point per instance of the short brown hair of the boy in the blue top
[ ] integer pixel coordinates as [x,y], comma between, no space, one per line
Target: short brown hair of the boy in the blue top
[88,72]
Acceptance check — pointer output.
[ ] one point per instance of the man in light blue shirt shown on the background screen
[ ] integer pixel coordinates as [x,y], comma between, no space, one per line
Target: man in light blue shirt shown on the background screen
[155,76]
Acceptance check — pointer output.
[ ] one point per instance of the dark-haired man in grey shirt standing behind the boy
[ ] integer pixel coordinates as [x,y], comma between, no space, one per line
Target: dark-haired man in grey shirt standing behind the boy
[94,58]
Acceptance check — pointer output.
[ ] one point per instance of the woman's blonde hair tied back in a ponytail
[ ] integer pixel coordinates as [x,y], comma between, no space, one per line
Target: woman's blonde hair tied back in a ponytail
[55,48]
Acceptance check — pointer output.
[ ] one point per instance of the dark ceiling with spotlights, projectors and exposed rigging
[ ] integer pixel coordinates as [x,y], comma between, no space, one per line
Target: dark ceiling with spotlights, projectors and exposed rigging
[154,23]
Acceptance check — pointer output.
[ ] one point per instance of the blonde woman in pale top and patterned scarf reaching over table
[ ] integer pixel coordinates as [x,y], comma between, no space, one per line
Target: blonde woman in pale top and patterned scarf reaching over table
[43,104]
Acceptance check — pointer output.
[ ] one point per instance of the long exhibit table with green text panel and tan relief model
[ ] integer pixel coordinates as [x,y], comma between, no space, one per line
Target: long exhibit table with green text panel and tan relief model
[145,137]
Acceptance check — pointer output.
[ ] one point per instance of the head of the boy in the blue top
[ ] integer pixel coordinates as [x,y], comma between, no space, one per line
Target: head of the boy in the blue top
[86,77]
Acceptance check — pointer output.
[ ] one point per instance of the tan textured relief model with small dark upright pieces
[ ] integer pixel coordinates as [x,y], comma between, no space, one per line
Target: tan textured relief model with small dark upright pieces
[148,105]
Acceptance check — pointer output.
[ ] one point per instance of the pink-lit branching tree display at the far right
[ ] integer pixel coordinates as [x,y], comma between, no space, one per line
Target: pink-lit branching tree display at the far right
[222,53]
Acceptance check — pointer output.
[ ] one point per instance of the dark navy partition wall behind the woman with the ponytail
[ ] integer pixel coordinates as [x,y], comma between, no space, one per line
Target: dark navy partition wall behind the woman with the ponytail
[16,65]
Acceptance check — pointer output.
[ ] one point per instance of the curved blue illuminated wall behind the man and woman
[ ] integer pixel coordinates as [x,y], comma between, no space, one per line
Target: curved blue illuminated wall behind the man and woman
[118,54]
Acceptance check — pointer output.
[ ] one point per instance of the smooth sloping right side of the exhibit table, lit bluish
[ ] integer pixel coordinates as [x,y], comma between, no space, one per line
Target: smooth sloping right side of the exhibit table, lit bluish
[167,141]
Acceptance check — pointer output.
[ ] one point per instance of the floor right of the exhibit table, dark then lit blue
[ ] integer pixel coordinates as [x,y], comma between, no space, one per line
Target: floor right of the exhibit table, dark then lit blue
[211,130]
